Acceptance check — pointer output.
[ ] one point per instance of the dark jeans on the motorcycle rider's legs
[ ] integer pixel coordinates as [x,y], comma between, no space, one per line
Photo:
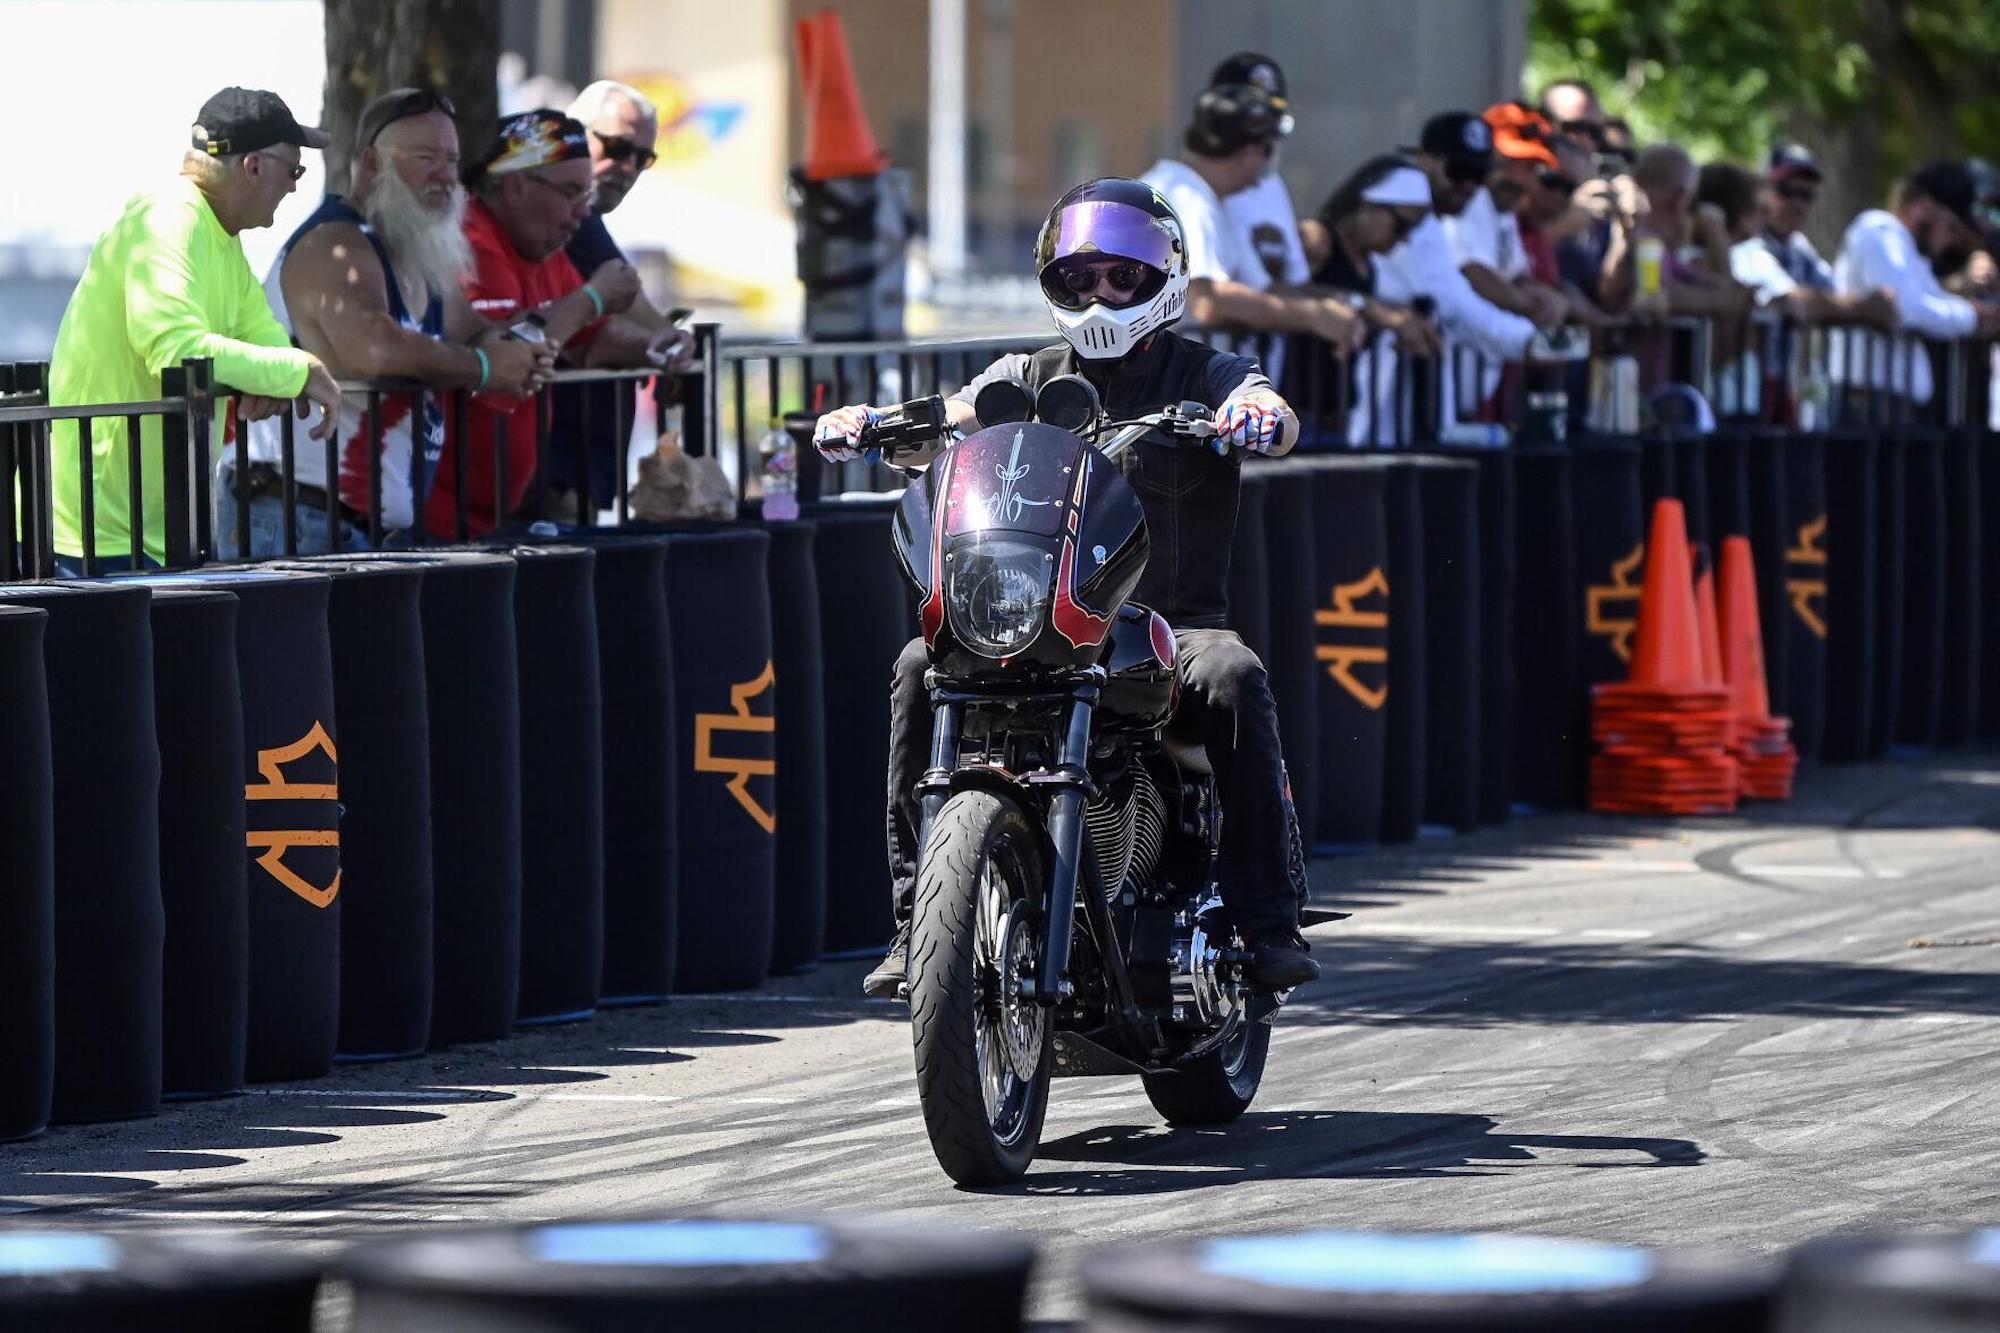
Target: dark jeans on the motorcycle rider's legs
[1225,700]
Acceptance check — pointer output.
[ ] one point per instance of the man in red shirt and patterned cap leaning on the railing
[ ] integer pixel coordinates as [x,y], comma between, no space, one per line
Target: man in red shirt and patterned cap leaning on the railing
[531,193]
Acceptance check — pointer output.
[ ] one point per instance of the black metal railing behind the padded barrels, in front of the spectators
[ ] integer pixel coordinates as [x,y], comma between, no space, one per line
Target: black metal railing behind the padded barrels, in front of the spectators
[1777,375]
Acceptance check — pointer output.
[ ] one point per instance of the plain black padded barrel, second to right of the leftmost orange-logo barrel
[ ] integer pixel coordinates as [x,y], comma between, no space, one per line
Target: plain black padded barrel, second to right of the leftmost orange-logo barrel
[473,692]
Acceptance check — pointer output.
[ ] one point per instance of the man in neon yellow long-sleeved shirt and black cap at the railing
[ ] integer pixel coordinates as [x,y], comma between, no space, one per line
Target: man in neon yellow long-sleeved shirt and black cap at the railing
[169,281]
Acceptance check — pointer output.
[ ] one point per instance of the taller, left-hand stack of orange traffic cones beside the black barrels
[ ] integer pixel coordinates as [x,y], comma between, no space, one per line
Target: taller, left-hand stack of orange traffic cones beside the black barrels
[1665,734]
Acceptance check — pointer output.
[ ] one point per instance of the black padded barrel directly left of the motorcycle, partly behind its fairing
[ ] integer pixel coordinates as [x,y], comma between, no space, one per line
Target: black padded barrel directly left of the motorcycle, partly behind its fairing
[865,615]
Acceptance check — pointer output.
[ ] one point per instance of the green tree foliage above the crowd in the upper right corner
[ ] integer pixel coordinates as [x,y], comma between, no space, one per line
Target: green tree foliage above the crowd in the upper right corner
[1873,85]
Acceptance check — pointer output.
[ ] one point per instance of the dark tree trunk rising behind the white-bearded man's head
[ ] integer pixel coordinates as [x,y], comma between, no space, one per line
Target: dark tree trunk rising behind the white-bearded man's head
[379,45]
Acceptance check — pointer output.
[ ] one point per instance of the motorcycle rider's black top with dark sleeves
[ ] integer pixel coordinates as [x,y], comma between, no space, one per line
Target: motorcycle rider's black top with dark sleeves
[1189,493]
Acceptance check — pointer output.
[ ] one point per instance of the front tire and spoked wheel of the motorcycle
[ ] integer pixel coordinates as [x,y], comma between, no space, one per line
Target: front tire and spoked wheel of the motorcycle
[983,1054]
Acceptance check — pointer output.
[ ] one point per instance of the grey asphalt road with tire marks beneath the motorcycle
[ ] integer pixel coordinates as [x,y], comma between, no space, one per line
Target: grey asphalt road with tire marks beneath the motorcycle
[1737,1032]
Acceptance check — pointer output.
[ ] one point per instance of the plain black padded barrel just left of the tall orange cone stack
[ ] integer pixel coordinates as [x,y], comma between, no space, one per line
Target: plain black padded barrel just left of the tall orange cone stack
[1549,748]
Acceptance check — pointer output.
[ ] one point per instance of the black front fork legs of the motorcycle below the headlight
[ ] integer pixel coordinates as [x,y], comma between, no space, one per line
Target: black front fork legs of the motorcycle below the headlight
[1071,790]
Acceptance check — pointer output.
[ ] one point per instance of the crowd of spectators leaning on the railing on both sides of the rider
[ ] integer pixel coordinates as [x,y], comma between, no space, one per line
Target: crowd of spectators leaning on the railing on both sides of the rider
[1439,289]
